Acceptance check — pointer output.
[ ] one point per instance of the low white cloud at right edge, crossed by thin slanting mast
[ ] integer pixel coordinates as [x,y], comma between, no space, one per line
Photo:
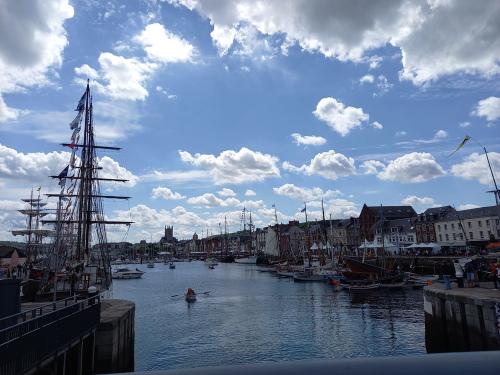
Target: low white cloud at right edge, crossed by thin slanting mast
[475,167]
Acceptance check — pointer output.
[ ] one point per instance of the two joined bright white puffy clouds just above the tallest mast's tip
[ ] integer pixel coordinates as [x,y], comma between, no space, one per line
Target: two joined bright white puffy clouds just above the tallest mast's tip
[126,77]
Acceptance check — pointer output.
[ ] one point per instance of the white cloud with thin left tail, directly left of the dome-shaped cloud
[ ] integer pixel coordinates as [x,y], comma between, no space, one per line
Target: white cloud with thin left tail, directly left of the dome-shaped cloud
[330,165]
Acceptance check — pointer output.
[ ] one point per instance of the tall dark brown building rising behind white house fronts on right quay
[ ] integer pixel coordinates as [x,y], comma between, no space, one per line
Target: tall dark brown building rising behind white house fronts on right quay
[372,214]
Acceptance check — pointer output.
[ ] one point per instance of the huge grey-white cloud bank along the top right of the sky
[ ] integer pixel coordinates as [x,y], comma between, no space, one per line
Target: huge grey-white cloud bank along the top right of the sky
[349,32]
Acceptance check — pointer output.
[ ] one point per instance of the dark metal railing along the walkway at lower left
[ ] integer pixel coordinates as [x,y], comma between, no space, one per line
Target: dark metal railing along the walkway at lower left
[26,344]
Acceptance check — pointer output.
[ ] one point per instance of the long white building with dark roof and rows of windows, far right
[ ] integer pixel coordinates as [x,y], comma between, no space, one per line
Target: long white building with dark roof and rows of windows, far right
[474,228]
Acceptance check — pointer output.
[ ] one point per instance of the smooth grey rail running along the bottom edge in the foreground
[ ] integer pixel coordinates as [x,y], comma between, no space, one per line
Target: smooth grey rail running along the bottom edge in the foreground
[477,363]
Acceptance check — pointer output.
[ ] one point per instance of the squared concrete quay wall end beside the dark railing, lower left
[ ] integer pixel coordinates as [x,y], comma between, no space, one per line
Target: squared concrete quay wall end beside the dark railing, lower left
[114,344]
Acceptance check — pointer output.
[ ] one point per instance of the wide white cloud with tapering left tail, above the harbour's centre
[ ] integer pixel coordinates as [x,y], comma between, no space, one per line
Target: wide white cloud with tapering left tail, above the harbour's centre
[235,167]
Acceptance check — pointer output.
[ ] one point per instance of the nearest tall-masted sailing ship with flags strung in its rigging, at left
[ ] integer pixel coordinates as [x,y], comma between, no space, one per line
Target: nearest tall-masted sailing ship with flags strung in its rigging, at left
[78,223]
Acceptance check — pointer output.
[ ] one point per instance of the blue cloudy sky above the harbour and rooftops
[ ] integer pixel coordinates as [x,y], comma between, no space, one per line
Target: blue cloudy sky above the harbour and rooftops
[221,105]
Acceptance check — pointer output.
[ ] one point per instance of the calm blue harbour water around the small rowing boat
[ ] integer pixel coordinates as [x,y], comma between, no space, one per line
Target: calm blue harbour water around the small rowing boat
[251,316]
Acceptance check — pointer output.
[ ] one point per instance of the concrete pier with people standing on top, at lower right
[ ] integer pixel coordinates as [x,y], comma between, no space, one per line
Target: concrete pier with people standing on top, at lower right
[461,319]
